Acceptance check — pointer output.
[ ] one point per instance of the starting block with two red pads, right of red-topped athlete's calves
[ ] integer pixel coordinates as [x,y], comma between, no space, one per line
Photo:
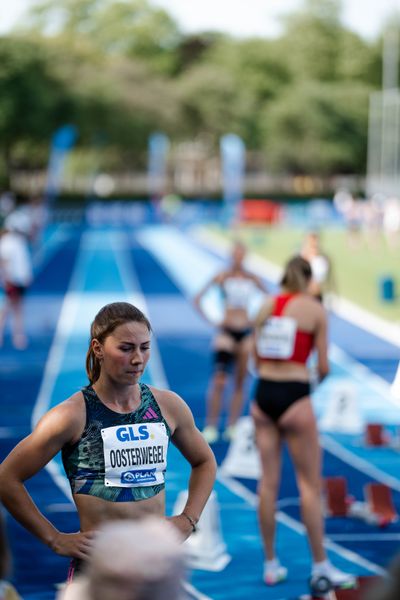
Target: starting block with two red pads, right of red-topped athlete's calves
[377,508]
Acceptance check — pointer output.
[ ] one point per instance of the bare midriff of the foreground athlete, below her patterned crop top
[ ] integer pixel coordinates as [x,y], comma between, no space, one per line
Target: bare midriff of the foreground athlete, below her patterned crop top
[93,511]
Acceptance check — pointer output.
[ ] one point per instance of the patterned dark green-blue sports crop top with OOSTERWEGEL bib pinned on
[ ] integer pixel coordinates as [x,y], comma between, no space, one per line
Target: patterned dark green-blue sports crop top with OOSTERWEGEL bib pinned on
[120,457]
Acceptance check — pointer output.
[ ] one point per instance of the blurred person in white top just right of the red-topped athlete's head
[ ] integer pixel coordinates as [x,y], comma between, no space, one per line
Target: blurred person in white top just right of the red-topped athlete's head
[321,266]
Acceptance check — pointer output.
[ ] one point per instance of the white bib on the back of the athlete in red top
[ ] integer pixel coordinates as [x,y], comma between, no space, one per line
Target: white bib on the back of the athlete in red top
[276,338]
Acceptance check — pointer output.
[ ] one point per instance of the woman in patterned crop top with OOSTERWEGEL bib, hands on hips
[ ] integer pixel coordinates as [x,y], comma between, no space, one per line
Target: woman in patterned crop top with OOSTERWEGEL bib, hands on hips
[114,436]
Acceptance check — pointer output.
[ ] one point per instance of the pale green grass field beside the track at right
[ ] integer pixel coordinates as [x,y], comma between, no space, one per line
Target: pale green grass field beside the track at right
[358,264]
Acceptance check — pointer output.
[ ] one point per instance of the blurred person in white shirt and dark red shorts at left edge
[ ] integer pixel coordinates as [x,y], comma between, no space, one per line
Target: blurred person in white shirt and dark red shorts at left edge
[15,274]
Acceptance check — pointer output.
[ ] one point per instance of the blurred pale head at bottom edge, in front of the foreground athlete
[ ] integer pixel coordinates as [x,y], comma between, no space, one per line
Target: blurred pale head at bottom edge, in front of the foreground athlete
[132,560]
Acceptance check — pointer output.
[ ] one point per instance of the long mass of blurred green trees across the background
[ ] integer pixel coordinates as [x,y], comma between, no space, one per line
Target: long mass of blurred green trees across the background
[300,102]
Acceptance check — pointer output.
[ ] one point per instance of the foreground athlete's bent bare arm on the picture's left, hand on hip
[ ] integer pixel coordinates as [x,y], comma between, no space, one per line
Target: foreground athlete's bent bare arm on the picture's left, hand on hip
[57,428]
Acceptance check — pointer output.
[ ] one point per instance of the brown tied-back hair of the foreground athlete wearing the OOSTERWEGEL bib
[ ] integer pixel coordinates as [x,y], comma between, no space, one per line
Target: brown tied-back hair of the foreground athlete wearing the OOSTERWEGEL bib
[107,319]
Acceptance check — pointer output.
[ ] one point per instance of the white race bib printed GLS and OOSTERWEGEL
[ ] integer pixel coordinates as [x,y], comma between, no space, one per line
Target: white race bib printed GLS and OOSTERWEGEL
[135,455]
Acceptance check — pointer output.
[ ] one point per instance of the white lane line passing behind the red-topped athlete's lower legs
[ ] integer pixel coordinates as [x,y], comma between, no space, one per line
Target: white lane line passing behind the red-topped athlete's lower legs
[239,489]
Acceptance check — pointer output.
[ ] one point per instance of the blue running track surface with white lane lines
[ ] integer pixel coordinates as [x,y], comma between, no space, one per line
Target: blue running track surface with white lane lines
[159,268]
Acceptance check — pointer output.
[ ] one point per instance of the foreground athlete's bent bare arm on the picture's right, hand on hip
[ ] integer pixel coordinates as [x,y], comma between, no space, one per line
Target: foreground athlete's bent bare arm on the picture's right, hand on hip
[188,439]
